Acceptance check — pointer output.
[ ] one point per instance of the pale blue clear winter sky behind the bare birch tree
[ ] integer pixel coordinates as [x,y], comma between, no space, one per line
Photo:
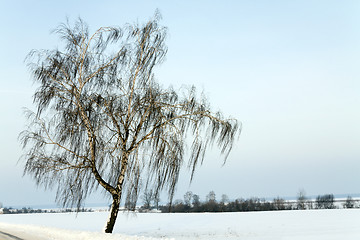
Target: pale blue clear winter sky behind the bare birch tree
[289,70]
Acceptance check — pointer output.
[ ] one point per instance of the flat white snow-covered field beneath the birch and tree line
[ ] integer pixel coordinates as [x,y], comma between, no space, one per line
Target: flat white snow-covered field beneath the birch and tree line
[285,225]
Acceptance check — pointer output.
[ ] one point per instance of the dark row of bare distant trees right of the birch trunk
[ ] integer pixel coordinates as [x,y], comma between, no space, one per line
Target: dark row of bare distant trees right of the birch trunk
[192,203]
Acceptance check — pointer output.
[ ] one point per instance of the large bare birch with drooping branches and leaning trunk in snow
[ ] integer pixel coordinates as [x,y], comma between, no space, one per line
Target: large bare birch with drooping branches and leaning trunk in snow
[102,121]
